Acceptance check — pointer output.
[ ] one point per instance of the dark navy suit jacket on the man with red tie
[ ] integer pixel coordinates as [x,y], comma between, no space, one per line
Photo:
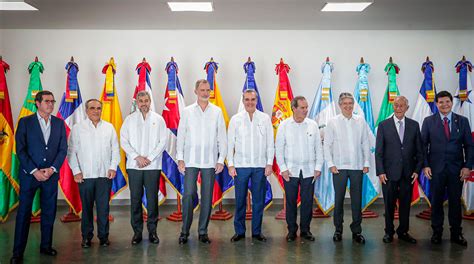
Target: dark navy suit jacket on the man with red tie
[441,153]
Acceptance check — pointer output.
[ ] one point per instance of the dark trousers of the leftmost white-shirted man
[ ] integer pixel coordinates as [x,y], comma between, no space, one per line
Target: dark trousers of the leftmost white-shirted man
[95,191]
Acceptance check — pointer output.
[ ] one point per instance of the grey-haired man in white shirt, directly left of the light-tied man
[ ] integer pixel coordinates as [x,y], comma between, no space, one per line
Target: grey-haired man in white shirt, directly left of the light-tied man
[347,153]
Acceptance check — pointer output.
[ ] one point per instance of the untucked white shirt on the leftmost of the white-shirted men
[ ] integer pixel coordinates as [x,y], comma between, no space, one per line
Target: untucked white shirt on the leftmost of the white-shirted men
[93,150]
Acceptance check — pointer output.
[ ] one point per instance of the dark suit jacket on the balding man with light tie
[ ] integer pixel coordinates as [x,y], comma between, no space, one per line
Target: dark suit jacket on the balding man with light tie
[393,158]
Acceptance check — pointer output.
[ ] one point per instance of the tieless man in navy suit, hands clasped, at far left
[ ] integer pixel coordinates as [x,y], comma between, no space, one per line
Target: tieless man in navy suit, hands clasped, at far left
[41,147]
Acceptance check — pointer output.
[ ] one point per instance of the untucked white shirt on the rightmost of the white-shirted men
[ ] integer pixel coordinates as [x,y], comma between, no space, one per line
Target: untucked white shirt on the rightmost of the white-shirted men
[346,143]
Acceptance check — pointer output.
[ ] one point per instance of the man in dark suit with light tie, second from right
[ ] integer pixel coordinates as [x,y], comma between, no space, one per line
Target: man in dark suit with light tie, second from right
[398,159]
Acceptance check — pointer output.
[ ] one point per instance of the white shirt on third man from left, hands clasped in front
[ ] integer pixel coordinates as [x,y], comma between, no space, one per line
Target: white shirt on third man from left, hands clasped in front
[144,137]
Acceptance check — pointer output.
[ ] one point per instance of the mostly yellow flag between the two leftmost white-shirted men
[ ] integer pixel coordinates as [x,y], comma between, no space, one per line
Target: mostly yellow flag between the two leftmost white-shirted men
[112,114]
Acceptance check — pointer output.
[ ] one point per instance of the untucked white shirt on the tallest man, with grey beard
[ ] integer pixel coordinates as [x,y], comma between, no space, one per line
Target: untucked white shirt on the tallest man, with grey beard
[202,136]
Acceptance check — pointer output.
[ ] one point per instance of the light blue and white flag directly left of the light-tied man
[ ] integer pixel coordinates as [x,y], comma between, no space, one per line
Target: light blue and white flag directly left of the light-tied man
[371,187]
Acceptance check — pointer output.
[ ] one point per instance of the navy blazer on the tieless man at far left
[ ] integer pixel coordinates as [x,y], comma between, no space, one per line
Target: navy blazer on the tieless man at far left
[31,149]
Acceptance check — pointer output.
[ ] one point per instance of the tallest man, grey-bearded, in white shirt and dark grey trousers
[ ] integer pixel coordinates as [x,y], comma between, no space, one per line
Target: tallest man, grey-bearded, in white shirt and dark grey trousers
[201,147]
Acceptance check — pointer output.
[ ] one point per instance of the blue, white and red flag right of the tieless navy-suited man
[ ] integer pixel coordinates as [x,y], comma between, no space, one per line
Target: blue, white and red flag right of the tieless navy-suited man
[71,110]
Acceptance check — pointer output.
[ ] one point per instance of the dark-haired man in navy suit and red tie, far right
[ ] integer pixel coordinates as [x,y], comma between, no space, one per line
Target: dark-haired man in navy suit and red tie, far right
[448,162]
